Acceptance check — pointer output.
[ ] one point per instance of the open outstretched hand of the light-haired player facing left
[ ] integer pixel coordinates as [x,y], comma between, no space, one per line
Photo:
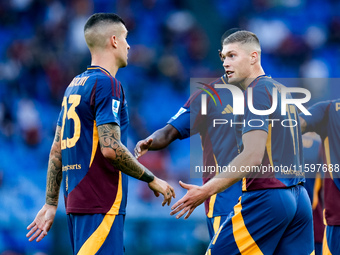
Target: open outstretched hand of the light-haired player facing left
[187,204]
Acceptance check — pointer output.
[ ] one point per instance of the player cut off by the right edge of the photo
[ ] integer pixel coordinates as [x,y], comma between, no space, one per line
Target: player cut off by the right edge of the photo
[325,121]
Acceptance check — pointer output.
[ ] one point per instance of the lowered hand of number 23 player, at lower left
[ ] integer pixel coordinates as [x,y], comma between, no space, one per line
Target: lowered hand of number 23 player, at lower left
[42,223]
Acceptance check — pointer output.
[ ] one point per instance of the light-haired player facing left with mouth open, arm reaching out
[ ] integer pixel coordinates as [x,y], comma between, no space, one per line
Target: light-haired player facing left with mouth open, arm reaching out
[274,213]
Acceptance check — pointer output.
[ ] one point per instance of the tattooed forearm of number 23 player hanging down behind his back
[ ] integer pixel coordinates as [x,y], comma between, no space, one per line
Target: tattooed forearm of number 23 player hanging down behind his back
[54,172]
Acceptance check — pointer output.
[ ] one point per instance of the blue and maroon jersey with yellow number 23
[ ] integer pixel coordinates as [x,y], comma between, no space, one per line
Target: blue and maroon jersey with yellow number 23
[90,183]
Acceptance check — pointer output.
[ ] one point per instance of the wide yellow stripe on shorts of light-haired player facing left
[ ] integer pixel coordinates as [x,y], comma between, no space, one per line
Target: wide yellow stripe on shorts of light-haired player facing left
[243,239]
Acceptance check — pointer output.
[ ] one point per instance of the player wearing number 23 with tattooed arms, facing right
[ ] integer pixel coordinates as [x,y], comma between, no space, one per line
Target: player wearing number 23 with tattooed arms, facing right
[89,153]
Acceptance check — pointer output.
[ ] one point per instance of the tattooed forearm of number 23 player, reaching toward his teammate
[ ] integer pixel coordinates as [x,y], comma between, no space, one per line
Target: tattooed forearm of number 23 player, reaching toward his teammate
[109,137]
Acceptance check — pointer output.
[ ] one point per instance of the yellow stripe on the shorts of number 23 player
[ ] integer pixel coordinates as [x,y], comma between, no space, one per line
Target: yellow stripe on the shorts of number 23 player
[96,240]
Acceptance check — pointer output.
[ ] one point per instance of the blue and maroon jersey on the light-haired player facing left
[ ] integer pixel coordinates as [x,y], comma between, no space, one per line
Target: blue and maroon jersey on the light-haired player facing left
[283,158]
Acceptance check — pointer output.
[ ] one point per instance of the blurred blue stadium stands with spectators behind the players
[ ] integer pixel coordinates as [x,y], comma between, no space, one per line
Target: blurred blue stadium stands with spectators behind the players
[42,48]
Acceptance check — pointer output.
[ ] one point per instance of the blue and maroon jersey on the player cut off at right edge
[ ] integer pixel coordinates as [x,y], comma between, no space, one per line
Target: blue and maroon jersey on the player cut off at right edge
[325,120]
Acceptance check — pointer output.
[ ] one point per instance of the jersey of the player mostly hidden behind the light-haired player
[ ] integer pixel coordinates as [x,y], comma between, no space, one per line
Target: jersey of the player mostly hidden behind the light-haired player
[218,143]
